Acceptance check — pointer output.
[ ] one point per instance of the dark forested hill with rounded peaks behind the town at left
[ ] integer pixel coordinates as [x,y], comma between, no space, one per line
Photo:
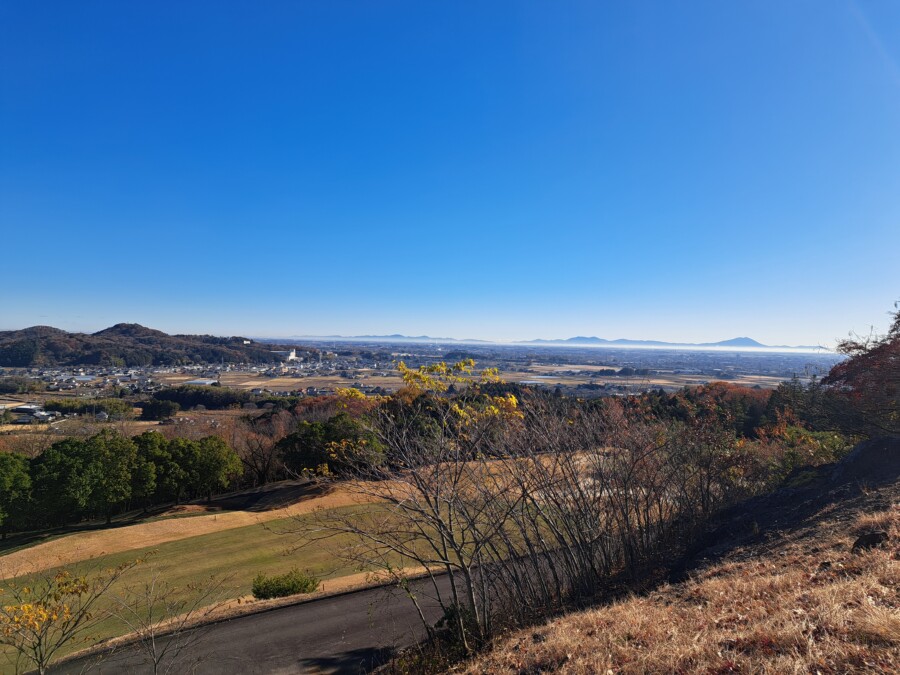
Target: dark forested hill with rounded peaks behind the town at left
[125,344]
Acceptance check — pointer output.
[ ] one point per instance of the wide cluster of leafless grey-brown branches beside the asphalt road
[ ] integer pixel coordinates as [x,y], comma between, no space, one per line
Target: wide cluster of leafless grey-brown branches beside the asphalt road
[528,514]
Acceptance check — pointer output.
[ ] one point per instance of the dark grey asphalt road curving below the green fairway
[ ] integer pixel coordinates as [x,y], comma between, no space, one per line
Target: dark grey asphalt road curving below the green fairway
[345,634]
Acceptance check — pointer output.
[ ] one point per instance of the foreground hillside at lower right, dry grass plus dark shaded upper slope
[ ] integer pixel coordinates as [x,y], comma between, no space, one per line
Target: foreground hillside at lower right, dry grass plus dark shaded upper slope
[779,588]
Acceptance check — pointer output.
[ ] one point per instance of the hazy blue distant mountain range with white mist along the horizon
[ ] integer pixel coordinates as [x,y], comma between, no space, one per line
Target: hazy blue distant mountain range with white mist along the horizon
[579,341]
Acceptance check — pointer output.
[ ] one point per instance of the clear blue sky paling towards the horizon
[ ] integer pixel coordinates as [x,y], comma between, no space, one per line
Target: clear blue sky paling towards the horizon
[686,171]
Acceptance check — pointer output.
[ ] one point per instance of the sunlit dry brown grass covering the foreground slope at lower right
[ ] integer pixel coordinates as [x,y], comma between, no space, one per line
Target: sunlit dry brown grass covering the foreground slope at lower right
[805,604]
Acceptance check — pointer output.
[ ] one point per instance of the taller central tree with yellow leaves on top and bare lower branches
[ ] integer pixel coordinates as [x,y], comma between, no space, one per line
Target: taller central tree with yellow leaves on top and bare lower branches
[443,484]
